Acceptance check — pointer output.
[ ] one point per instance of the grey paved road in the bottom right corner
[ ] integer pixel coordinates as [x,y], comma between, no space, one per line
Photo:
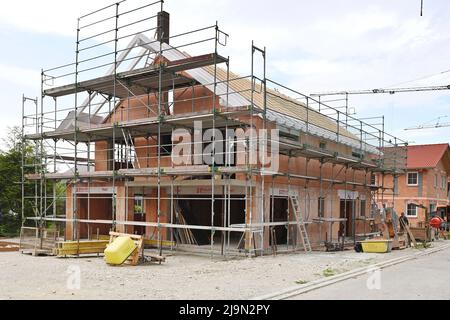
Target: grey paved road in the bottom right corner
[425,278]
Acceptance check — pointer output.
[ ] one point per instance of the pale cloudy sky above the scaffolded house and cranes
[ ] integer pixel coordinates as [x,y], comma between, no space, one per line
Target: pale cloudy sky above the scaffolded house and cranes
[312,46]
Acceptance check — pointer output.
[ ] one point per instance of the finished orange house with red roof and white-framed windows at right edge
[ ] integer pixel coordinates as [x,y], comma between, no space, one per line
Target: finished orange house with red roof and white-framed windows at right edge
[425,183]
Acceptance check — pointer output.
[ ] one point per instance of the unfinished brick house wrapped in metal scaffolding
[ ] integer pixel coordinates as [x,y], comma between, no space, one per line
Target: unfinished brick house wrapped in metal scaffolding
[106,127]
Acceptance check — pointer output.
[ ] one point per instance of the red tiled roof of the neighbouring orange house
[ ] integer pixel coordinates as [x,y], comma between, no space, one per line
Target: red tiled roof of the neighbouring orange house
[426,156]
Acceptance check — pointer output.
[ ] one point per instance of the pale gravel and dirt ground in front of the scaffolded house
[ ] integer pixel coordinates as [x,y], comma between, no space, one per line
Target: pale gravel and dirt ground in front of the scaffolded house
[183,276]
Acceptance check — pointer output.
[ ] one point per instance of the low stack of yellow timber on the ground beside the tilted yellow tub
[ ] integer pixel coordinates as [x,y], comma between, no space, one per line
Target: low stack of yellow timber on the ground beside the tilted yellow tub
[75,248]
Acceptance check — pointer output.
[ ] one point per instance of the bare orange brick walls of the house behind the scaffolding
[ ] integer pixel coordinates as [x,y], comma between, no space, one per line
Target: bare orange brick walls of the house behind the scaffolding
[308,191]
